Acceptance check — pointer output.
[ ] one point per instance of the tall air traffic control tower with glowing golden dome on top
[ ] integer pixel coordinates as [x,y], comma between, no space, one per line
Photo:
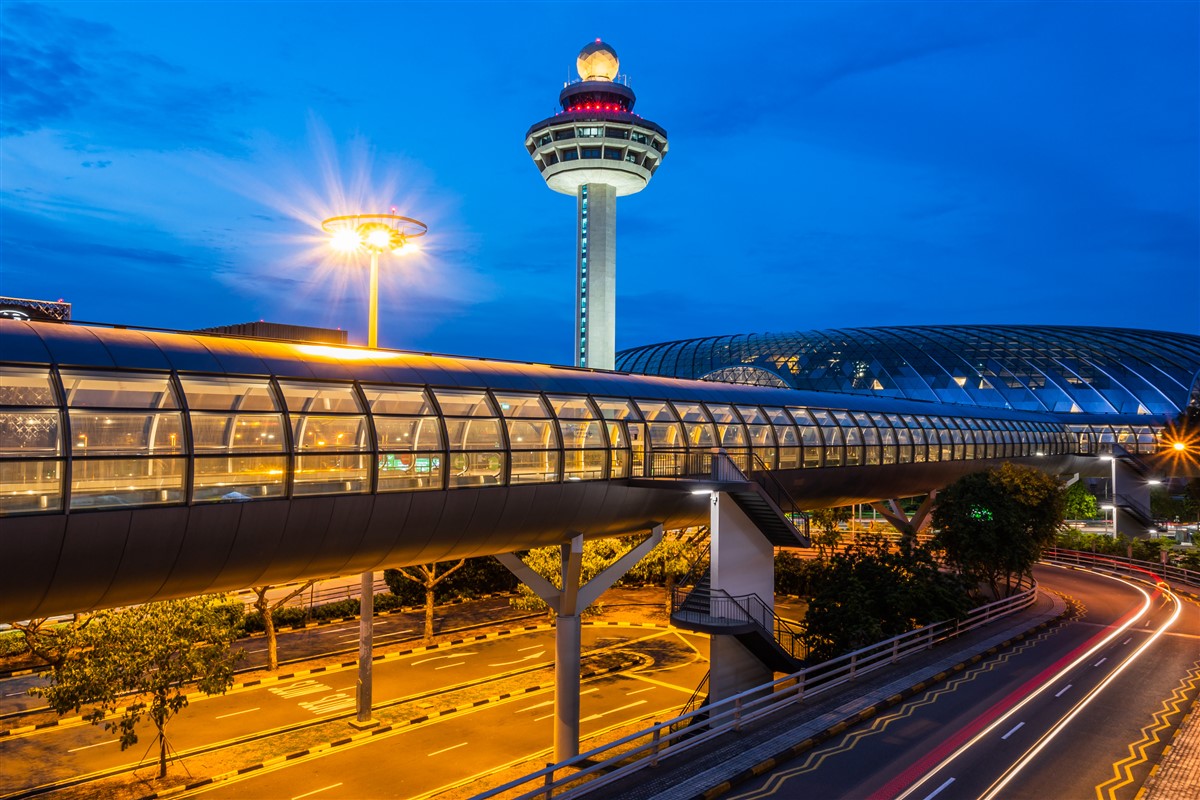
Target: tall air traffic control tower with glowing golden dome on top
[597,149]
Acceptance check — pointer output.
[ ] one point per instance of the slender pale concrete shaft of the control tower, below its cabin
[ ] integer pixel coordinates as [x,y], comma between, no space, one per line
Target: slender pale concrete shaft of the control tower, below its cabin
[596,299]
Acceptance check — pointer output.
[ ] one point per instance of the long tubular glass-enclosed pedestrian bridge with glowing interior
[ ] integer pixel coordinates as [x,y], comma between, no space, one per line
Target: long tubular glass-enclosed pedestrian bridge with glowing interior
[140,465]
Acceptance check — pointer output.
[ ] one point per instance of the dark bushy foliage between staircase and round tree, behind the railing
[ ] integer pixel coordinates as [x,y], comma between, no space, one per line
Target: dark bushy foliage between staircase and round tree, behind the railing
[871,592]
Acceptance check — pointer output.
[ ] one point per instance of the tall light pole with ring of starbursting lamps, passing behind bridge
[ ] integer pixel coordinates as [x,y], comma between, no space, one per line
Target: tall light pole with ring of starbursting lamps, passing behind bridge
[376,234]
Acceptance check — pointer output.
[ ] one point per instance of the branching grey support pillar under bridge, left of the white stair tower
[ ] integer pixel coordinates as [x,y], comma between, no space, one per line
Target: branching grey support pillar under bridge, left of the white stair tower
[568,605]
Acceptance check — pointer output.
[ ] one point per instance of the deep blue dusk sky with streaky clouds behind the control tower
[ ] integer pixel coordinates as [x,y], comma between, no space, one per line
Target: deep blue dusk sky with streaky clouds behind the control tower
[832,165]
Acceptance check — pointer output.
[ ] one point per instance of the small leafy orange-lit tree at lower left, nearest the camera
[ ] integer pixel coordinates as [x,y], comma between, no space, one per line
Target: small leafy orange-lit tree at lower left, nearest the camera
[155,653]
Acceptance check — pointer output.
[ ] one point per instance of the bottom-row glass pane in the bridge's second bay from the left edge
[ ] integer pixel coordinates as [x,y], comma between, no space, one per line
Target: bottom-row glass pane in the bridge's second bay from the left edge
[115,483]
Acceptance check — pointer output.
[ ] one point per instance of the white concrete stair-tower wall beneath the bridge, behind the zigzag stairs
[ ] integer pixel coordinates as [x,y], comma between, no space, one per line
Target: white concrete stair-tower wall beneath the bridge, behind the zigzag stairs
[742,563]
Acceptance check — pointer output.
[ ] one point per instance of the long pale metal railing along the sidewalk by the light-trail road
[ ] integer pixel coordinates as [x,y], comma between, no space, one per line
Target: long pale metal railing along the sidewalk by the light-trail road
[614,761]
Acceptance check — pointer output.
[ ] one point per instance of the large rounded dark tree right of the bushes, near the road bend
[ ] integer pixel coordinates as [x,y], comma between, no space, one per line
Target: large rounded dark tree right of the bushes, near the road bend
[995,525]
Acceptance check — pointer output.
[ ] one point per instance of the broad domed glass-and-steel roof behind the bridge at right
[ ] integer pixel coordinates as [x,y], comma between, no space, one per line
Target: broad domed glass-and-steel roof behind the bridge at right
[1072,372]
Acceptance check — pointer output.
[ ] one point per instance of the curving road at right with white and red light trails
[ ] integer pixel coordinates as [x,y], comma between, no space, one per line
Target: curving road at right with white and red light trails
[1070,714]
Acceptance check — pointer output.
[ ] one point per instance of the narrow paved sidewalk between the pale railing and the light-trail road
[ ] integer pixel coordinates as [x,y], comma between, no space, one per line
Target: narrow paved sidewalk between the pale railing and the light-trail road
[737,759]
